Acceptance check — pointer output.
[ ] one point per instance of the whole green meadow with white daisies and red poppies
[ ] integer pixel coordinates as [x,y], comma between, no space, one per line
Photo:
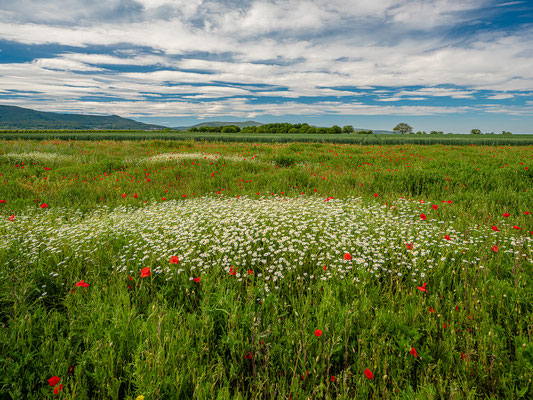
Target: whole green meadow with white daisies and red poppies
[163,269]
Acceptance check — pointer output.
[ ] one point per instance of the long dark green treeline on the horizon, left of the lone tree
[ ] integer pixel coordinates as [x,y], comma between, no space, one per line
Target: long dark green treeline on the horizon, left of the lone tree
[278,128]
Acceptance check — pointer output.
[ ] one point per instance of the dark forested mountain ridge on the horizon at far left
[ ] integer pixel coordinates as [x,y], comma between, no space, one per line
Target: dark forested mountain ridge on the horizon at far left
[12,117]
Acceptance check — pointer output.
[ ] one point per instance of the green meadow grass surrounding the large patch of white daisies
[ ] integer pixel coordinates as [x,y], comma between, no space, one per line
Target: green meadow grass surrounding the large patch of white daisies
[222,339]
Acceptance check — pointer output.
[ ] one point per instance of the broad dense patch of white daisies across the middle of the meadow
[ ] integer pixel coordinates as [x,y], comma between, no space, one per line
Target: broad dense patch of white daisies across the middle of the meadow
[302,238]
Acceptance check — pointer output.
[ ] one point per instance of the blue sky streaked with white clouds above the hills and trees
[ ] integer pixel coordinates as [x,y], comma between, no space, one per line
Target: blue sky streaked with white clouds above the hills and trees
[445,65]
